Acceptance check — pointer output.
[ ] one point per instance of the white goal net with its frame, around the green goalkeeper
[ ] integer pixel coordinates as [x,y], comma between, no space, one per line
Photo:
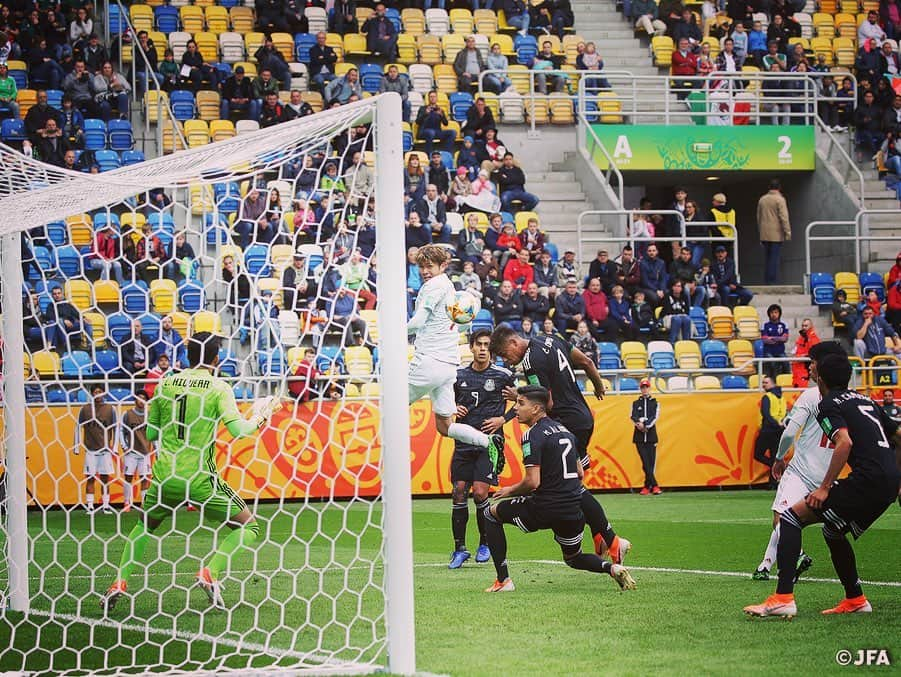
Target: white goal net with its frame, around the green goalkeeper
[286,243]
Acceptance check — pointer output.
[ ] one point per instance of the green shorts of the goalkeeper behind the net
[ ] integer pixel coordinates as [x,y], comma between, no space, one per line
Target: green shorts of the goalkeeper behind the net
[209,494]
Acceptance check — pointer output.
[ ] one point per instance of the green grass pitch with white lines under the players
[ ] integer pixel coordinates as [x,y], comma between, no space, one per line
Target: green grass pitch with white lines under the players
[693,555]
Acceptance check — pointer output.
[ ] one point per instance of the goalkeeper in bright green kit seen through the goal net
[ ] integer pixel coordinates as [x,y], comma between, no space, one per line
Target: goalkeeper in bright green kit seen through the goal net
[184,417]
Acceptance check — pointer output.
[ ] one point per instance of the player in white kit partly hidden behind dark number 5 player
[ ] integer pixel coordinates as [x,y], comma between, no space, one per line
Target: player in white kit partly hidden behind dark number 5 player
[809,463]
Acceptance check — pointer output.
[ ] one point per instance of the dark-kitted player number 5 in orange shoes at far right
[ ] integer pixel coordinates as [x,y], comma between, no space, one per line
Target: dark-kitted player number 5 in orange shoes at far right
[861,433]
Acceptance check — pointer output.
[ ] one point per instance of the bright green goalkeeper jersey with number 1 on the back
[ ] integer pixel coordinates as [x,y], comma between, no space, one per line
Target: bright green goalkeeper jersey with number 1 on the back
[186,409]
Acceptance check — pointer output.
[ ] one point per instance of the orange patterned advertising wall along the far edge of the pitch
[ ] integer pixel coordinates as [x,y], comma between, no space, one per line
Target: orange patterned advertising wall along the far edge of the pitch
[321,450]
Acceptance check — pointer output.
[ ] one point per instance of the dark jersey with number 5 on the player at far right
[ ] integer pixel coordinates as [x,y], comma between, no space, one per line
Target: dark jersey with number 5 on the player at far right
[870,429]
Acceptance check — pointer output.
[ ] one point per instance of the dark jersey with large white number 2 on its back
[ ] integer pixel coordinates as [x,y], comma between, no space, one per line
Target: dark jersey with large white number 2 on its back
[550,445]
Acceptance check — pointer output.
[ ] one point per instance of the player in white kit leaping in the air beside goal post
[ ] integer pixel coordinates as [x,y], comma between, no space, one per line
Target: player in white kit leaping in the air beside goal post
[436,356]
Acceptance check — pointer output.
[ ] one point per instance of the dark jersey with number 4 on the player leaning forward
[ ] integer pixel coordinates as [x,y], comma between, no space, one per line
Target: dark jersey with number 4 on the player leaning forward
[546,363]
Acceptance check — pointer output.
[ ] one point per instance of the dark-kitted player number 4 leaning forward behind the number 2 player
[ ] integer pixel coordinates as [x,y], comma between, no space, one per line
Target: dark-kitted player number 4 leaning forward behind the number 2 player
[548,361]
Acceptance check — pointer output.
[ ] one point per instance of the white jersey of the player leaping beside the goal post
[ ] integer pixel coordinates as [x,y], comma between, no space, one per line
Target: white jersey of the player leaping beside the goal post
[436,334]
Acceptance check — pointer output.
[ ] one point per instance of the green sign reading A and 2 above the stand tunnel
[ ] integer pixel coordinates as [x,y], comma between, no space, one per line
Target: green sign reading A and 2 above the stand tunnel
[705,148]
